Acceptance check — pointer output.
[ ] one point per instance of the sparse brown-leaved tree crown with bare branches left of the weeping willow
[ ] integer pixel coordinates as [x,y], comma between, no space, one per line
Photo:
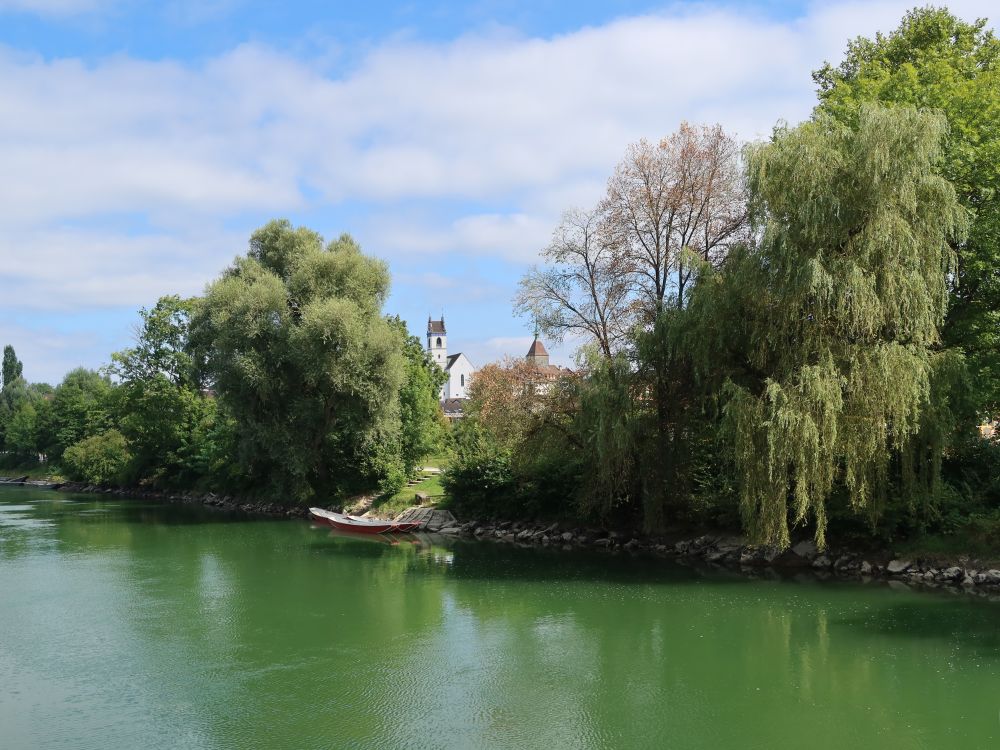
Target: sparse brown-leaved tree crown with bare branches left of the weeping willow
[632,256]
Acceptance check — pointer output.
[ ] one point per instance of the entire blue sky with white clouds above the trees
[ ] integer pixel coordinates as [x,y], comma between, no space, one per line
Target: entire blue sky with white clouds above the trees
[143,142]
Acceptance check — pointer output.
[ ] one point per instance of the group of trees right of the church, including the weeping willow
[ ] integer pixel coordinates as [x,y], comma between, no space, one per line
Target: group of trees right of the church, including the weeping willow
[799,333]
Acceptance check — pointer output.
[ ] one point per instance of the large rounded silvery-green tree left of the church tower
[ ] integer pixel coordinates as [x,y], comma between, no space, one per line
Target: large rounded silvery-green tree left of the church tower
[293,341]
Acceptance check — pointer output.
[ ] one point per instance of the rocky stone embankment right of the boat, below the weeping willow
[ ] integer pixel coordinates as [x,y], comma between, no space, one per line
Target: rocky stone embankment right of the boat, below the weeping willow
[735,552]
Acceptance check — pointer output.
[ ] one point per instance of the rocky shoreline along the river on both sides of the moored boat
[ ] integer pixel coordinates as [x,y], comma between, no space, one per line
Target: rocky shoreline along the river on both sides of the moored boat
[961,573]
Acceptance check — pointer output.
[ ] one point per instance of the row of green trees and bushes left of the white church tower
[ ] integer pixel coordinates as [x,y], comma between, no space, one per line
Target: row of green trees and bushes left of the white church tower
[284,381]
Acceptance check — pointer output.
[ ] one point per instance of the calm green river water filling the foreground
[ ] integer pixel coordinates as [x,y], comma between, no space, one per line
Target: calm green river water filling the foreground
[126,624]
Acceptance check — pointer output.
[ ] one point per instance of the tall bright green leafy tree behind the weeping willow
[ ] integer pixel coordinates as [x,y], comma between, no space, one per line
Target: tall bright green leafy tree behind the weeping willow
[934,60]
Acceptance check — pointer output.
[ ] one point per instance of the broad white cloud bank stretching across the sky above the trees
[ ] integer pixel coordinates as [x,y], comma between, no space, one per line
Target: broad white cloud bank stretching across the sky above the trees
[473,146]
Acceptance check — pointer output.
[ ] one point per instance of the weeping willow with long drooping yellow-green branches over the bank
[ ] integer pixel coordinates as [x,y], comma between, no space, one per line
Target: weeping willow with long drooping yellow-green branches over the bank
[837,313]
